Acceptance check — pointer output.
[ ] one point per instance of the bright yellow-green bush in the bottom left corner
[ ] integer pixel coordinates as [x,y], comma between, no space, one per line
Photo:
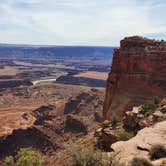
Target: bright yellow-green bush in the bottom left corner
[26,157]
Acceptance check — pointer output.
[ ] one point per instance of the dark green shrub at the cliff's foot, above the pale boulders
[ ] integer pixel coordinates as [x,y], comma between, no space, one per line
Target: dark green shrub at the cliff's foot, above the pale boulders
[148,107]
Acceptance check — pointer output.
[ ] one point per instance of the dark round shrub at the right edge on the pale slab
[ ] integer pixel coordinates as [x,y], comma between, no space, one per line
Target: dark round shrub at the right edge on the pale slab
[157,152]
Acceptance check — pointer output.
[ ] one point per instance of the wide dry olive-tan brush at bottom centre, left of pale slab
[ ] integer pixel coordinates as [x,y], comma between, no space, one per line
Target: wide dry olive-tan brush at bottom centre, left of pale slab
[89,156]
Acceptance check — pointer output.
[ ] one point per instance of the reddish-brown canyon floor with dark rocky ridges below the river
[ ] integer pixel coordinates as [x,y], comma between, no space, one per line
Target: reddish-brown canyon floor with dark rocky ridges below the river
[46,117]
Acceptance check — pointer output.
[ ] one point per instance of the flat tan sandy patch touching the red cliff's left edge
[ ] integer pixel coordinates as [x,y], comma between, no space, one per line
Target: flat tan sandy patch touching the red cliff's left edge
[93,74]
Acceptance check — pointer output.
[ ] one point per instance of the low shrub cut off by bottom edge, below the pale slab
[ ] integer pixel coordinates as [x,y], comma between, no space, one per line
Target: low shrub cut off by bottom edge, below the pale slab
[139,161]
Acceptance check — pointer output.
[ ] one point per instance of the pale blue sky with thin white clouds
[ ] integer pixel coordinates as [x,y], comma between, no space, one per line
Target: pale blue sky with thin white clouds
[80,22]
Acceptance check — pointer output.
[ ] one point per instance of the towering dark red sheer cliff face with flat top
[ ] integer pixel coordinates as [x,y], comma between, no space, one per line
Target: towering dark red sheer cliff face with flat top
[138,72]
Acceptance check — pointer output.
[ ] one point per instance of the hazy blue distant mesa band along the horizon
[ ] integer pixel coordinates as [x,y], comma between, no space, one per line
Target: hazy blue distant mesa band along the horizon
[27,51]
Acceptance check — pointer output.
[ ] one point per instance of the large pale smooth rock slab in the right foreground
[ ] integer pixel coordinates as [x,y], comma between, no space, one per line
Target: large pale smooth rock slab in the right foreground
[140,145]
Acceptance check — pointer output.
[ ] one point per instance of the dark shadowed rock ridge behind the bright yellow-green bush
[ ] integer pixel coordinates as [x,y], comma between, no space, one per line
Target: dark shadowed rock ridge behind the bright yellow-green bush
[23,138]
